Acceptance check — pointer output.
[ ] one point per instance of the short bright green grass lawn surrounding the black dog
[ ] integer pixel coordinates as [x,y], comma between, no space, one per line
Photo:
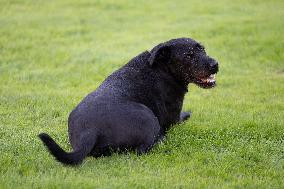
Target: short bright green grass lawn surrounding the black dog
[53,53]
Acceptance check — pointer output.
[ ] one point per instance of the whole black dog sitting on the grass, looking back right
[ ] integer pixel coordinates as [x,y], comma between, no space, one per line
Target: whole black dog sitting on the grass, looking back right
[135,106]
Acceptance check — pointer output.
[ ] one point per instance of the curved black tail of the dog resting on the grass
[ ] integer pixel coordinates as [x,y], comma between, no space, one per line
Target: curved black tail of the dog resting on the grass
[72,158]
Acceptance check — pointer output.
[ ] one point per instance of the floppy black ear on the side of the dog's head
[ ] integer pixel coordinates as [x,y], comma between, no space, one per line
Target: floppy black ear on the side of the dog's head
[160,53]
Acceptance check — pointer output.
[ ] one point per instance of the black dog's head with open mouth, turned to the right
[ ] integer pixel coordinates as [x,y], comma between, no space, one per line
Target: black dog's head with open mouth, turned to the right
[186,60]
